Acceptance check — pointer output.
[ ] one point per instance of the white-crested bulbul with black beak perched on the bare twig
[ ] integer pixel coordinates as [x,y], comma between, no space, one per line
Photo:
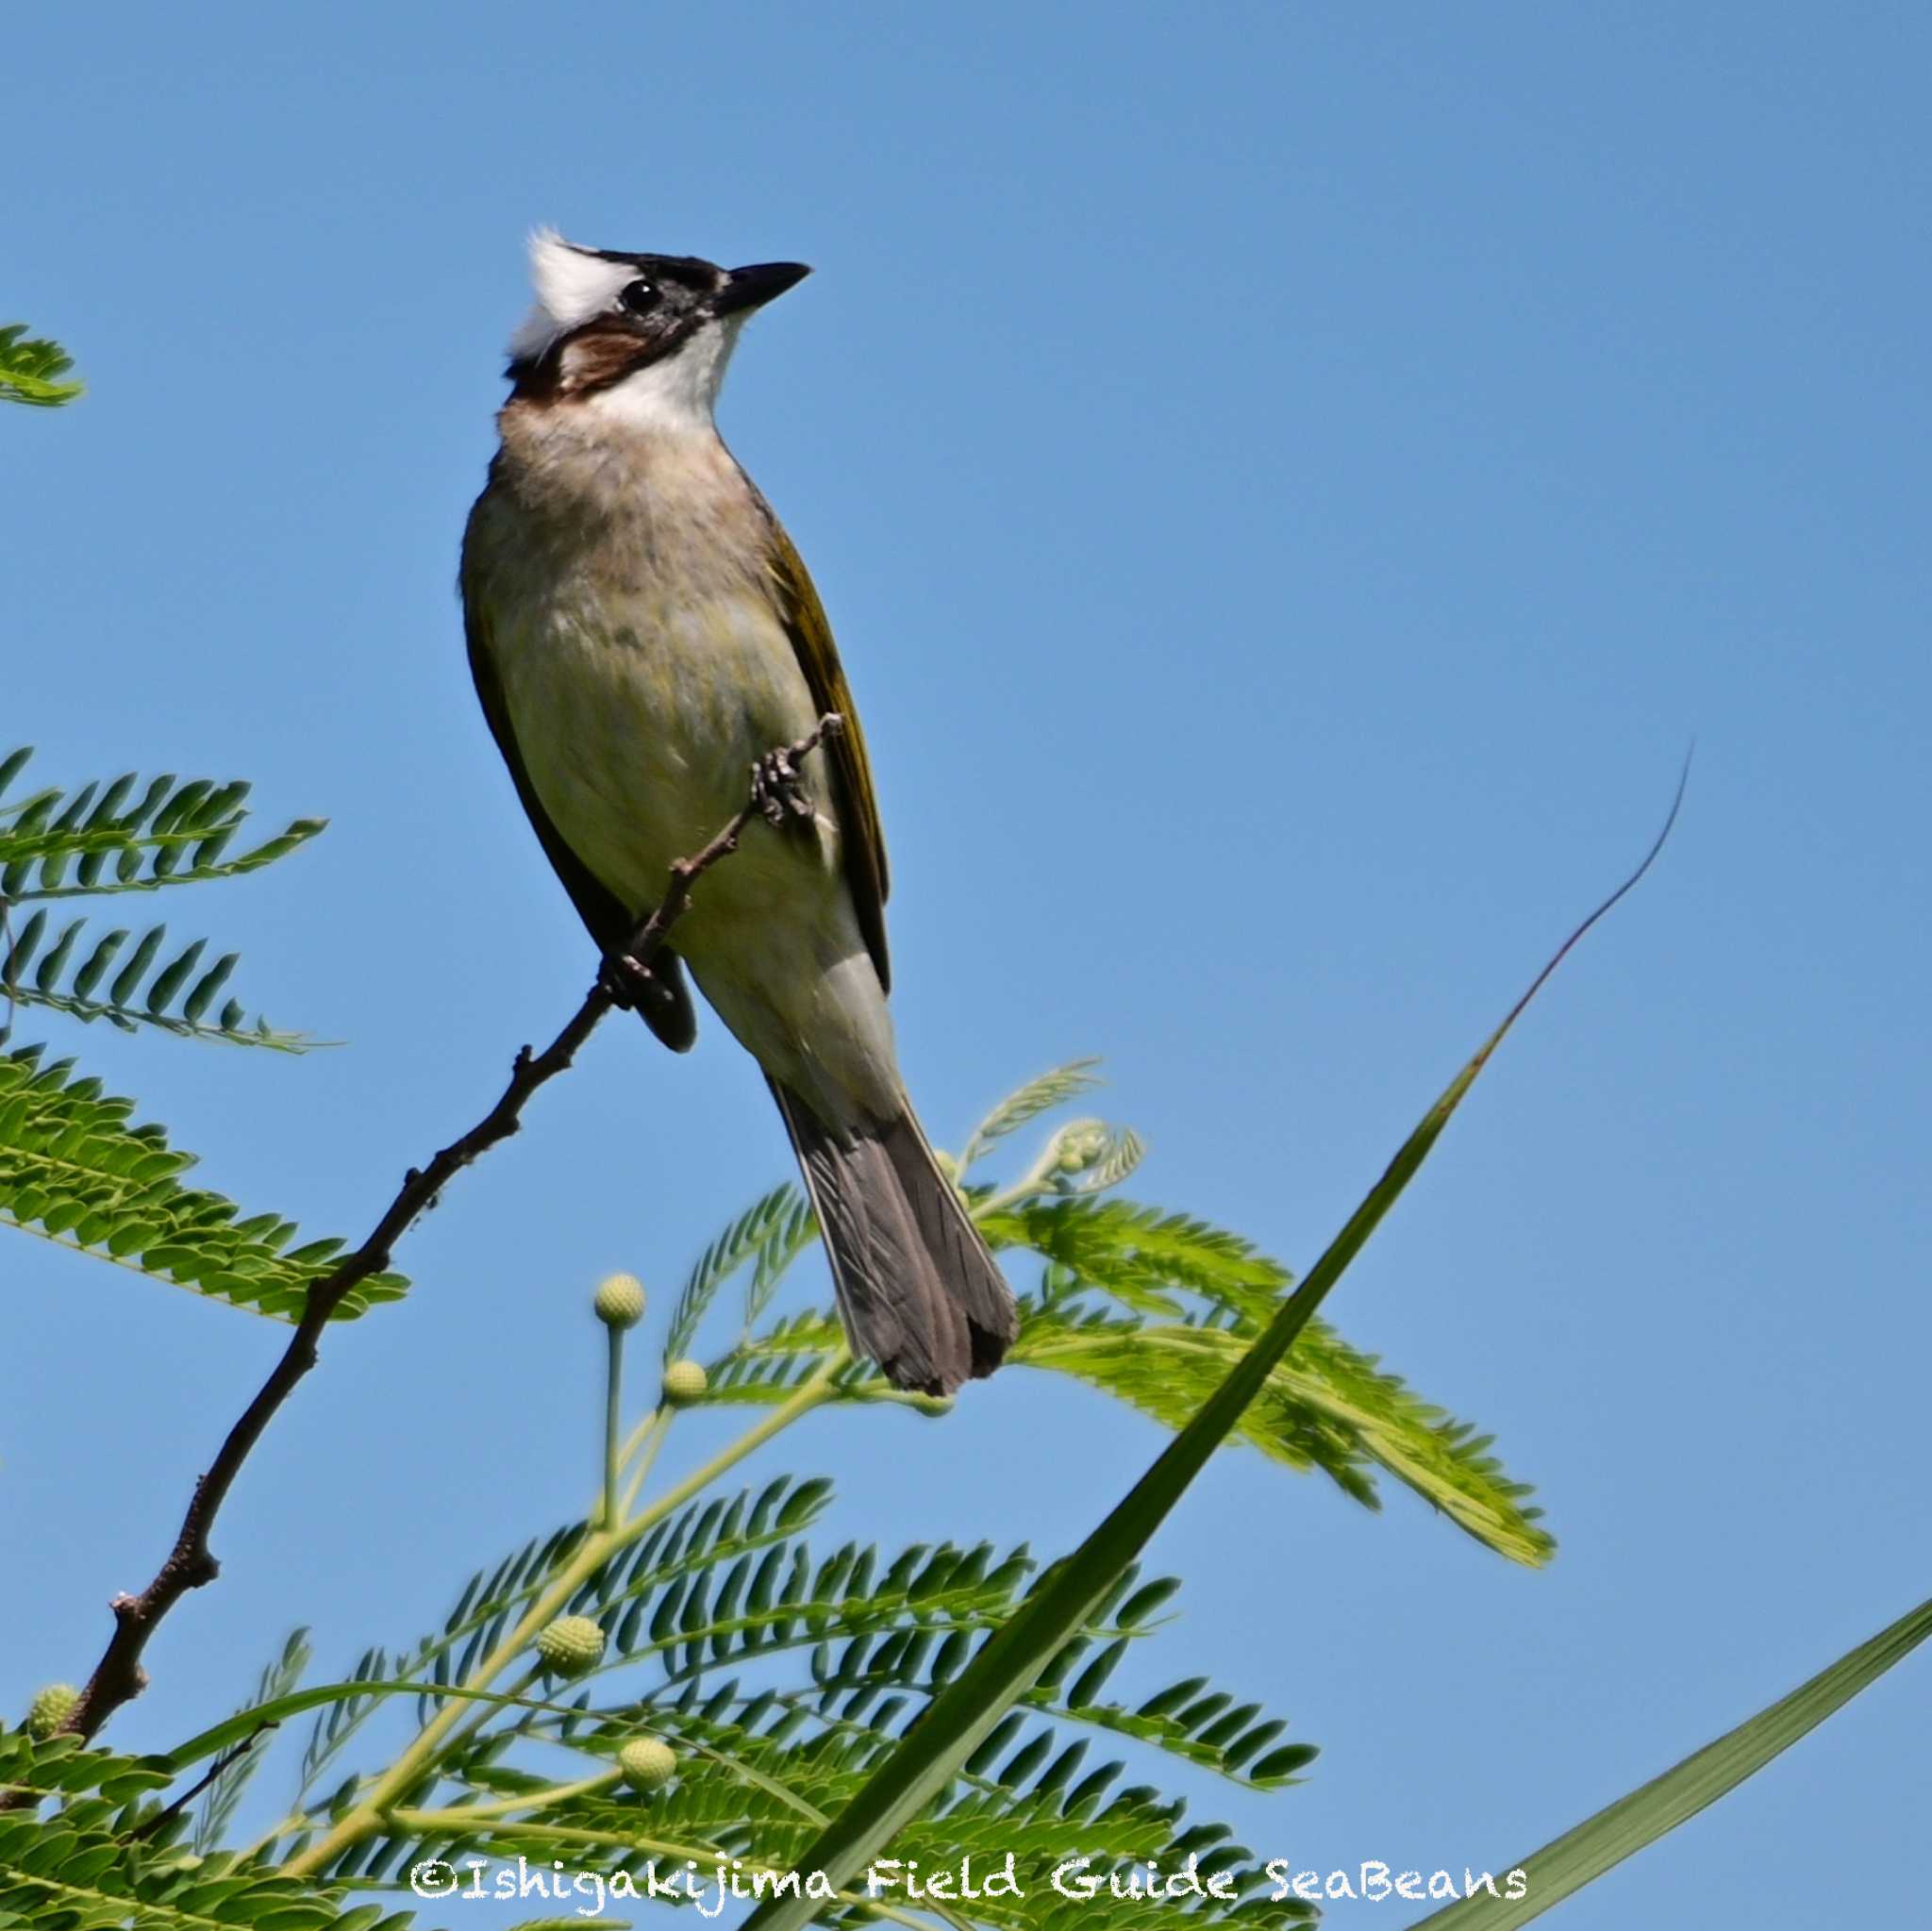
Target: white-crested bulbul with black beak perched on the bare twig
[642,636]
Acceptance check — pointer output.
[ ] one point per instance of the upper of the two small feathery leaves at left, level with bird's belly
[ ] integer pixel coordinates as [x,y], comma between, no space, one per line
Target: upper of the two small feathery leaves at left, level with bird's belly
[128,835]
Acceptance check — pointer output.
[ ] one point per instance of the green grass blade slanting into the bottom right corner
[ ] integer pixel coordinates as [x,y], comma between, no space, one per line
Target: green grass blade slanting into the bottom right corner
[1639,1820]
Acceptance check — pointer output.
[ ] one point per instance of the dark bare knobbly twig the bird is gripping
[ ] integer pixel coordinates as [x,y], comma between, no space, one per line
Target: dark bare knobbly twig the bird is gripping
[119,1675]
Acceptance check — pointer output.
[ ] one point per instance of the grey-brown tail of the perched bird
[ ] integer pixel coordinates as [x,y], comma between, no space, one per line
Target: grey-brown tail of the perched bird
[917,1287]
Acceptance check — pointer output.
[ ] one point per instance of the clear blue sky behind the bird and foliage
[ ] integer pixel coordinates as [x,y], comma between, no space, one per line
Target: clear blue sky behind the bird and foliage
[1290,484]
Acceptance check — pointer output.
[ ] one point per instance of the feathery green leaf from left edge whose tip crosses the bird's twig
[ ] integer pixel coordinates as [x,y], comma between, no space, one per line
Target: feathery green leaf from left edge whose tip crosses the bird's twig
[76,1173]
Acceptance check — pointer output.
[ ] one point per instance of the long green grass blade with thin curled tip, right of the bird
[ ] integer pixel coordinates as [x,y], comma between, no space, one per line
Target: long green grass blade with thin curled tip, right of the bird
[1067,1596]
